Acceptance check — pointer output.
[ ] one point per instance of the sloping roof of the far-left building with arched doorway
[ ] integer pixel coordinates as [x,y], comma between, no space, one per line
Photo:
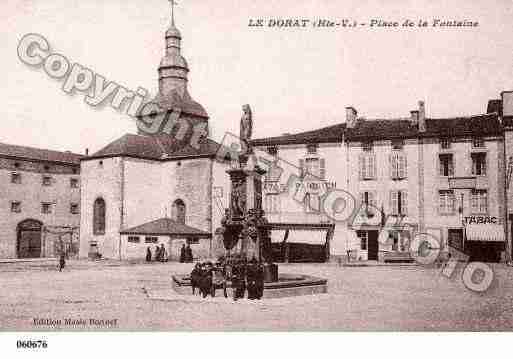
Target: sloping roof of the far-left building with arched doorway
[39,154]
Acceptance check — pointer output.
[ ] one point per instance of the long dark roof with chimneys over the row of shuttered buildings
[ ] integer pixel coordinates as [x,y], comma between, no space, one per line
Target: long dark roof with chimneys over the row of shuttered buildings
[375,129]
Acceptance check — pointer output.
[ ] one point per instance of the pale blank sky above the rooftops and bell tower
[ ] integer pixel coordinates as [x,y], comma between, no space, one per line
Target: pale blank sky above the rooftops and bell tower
[295,79]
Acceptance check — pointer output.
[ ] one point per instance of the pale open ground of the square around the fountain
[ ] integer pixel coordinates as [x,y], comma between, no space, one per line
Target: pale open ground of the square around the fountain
[358,299]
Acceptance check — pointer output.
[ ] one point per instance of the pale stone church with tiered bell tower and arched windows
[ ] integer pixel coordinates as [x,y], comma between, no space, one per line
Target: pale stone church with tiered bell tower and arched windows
[144,190]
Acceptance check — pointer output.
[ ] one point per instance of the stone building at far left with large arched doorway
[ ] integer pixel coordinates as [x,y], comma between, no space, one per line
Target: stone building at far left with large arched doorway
[40,202]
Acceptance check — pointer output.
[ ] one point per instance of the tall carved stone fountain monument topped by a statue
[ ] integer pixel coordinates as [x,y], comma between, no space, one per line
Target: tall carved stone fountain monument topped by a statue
[245,230]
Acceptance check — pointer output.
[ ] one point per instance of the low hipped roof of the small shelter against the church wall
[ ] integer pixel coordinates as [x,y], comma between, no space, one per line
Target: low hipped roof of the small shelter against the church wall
[166,226]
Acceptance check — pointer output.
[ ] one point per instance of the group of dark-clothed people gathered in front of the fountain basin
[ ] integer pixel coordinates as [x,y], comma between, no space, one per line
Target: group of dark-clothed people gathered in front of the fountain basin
[242,274]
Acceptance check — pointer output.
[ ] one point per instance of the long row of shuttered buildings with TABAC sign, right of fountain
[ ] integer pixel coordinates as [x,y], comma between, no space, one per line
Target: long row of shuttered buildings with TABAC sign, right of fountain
[443,177]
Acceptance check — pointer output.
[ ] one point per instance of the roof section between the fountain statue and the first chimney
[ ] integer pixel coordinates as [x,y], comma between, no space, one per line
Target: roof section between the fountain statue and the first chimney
[326,134]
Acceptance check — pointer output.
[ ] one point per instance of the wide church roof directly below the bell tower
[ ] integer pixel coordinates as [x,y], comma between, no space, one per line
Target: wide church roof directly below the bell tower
[158,147]
